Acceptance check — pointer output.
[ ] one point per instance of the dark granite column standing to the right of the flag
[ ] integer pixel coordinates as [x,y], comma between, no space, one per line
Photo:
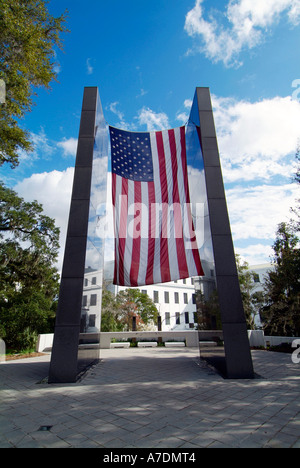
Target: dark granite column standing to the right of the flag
[237,349]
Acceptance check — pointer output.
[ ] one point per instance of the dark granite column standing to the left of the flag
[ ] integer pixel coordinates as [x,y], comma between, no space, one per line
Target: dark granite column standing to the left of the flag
[64,360]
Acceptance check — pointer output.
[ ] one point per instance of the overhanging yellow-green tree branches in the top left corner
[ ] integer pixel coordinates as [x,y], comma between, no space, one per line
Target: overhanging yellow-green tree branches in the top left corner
[29,36]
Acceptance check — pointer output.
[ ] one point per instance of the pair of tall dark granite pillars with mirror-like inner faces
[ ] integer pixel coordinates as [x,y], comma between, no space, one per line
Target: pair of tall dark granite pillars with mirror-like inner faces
[84,252]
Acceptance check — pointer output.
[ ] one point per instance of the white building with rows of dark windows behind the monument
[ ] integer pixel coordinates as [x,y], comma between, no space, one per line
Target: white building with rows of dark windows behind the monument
[175,301]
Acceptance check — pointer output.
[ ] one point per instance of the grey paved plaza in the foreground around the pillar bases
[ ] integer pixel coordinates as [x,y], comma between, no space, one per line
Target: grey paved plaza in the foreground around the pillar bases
[151,398]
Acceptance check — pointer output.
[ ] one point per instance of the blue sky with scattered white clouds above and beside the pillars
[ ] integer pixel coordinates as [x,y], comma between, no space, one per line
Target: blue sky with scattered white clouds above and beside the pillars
[147,57]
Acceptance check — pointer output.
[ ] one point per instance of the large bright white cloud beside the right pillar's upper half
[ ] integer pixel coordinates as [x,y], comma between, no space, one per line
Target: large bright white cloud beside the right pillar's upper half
[257,140]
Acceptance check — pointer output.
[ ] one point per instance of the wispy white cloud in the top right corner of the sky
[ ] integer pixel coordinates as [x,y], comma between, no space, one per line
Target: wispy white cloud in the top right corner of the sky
[248,21]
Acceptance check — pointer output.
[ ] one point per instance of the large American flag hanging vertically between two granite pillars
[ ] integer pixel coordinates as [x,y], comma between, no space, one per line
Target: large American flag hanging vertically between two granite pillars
[154,233]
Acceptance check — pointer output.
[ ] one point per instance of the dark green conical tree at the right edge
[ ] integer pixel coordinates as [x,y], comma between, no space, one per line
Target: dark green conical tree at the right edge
[281,315]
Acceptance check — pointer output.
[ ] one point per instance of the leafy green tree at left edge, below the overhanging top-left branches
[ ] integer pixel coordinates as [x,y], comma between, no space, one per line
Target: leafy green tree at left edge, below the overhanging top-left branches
[29,282]
